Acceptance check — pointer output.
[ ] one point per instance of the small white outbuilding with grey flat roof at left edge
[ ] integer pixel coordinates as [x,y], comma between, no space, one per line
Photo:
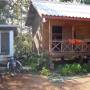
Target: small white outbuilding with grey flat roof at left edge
[6,41]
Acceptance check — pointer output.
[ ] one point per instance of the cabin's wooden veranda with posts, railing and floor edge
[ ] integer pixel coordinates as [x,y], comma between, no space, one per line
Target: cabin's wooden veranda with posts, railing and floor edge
[69,47]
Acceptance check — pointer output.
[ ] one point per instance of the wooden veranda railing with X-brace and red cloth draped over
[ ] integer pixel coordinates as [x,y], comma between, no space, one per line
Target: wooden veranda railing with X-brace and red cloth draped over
[67,46]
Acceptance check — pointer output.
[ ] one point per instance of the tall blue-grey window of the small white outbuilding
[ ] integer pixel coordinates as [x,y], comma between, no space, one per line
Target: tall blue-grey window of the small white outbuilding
[4,43]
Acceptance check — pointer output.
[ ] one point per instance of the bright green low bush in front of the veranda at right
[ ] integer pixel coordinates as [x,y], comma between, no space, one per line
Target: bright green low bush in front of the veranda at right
[73,69]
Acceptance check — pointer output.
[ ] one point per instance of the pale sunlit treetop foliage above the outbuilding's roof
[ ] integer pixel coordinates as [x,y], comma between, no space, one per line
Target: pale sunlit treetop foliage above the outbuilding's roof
[14,12]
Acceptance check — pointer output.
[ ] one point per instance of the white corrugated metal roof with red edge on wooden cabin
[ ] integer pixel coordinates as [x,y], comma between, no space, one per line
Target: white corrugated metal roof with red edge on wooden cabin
[63,10]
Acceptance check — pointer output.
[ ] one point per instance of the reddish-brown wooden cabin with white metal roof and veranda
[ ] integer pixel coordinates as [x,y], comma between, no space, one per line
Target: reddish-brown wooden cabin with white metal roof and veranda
[60,29]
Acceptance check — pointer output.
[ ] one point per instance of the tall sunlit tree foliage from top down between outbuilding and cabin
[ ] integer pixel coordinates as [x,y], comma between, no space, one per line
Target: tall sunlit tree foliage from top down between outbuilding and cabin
[18,10]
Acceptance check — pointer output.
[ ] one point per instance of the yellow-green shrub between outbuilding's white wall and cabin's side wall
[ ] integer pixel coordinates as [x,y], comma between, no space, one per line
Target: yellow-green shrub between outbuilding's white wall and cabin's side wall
[23,45]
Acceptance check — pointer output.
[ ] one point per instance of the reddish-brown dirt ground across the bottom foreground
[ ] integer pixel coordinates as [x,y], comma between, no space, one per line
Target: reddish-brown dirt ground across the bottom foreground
[36,82]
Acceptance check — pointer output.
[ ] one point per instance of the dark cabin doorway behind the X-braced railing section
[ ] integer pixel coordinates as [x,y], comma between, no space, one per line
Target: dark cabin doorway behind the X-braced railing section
[56,38]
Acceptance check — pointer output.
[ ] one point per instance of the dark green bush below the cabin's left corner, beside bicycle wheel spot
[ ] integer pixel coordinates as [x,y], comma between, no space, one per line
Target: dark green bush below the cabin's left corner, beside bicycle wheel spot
[37,62]
